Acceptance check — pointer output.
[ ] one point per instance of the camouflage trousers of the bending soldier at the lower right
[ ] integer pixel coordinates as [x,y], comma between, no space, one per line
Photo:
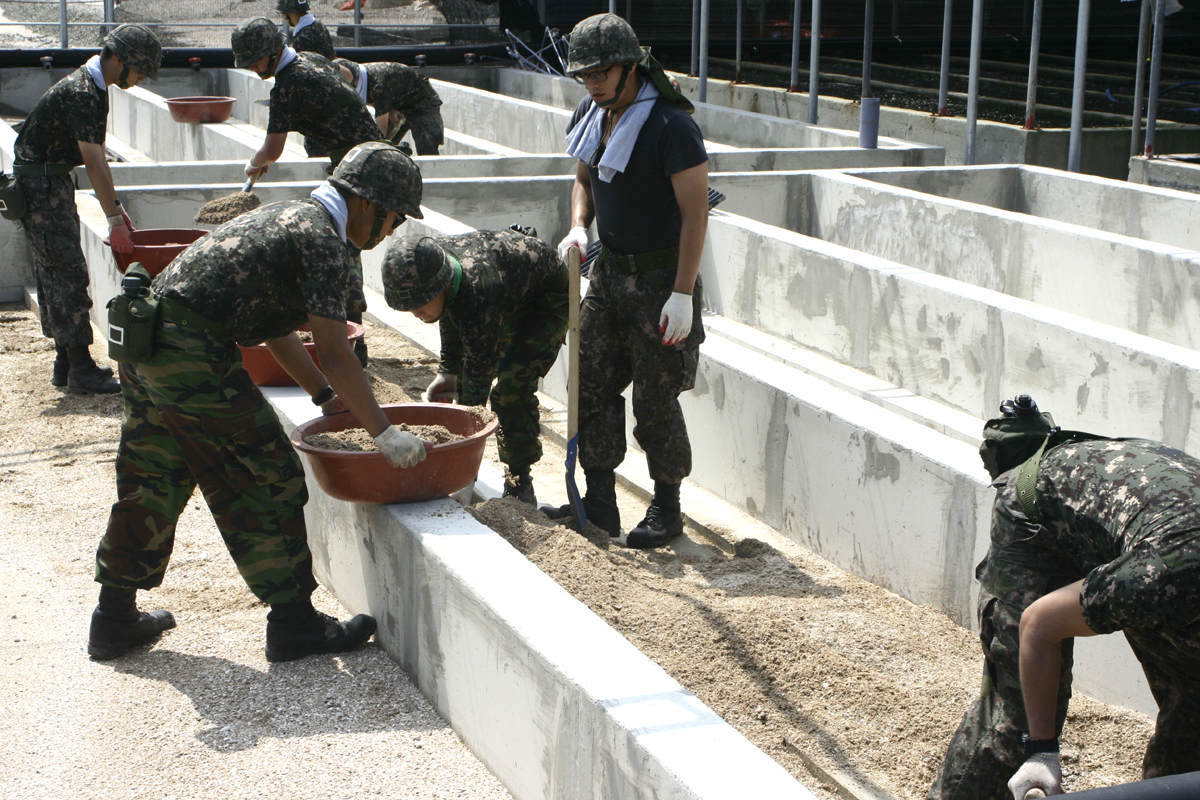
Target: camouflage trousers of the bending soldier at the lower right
[986,750]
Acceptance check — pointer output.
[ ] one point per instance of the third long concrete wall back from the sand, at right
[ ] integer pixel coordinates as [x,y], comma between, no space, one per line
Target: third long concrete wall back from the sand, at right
[1144,287]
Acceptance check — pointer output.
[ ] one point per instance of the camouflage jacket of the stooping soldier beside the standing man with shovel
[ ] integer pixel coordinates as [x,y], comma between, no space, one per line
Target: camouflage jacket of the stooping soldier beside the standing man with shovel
[505,275]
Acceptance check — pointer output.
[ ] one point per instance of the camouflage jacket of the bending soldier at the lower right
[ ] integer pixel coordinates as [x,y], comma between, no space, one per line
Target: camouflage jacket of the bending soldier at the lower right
[1125,516]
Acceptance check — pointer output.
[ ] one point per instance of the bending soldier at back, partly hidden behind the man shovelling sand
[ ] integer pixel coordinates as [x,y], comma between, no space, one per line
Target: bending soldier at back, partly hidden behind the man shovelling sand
[404,101]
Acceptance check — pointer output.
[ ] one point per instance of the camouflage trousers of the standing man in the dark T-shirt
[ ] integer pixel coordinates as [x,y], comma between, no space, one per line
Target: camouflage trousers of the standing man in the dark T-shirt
[621,346]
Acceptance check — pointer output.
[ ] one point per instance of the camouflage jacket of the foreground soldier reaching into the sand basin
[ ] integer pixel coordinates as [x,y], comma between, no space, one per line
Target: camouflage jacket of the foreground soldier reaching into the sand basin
[263,274]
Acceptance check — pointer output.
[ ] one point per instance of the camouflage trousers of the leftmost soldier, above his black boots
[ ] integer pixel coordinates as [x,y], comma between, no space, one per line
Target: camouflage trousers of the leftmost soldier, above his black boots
[52,226]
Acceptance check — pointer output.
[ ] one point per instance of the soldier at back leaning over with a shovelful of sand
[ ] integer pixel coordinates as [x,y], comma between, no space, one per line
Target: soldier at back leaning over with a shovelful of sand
[310,97]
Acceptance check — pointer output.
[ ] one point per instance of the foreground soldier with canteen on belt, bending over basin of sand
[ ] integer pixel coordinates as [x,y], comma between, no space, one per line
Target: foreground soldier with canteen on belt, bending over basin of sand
[194,418]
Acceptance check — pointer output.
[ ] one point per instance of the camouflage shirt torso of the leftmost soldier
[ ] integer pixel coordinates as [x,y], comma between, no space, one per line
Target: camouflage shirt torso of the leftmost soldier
[75,110]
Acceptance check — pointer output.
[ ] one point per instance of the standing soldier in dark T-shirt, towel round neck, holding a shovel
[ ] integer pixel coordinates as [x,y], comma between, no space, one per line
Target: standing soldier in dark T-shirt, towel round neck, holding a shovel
[643,175]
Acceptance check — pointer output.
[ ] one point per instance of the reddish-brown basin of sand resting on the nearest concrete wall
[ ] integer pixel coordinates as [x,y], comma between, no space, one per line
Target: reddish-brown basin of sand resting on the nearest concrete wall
[369,478]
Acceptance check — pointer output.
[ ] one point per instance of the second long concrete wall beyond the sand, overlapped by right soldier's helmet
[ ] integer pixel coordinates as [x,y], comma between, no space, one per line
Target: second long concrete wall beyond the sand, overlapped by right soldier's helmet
[949,341]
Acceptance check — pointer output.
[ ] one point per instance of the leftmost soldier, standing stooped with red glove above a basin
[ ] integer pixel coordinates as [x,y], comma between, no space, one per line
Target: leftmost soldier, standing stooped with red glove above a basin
[68,129]
